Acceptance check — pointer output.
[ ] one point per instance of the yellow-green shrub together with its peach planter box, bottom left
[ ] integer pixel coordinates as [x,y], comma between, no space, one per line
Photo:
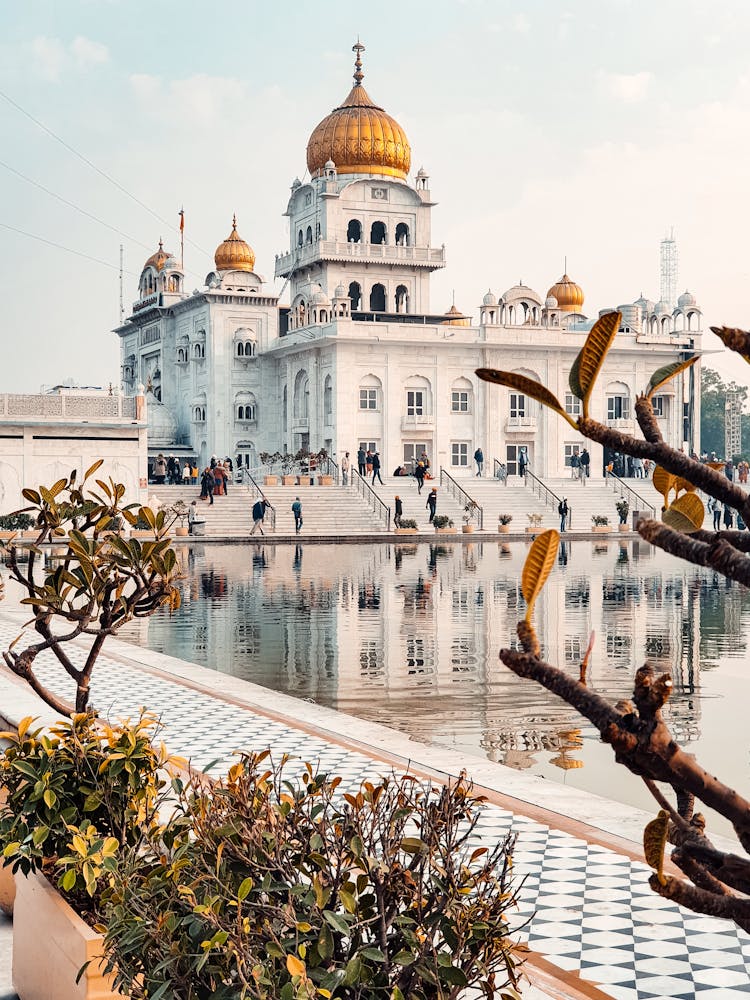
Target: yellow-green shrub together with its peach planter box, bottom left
[77,794]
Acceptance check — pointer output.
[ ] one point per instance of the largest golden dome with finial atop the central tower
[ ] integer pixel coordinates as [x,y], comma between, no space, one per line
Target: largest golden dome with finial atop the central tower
[359,136]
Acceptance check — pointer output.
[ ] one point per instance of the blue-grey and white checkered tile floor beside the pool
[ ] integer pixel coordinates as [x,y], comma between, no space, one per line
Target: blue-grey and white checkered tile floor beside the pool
[584,907]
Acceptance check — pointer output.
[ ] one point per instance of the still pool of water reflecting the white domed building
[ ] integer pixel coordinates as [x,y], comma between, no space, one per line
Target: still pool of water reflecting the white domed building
[408,635]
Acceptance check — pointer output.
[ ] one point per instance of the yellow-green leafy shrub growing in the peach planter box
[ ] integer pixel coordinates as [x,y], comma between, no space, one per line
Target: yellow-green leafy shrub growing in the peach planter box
[76,793]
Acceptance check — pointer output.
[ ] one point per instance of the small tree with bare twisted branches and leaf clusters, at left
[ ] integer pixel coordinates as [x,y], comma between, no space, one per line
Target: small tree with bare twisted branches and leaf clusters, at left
[100,582]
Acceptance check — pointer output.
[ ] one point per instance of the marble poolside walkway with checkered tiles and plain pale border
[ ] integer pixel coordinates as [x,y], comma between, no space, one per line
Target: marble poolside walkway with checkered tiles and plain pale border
[588,912]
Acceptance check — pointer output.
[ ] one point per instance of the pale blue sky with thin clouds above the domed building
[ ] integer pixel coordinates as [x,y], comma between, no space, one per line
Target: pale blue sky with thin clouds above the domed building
[584,129]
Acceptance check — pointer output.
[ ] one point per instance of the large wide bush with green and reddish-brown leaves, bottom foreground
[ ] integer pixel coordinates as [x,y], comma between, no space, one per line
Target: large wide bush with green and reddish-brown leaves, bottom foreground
[266,885]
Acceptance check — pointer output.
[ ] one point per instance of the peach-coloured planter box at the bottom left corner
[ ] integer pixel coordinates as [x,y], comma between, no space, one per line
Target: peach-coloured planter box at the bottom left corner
[41,915]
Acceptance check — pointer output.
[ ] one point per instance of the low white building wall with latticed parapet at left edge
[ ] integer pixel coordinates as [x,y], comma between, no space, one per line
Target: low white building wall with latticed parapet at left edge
[44,437]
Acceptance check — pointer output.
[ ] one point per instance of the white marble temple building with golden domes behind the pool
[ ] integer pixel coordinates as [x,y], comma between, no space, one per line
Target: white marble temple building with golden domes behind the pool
[356,356]
